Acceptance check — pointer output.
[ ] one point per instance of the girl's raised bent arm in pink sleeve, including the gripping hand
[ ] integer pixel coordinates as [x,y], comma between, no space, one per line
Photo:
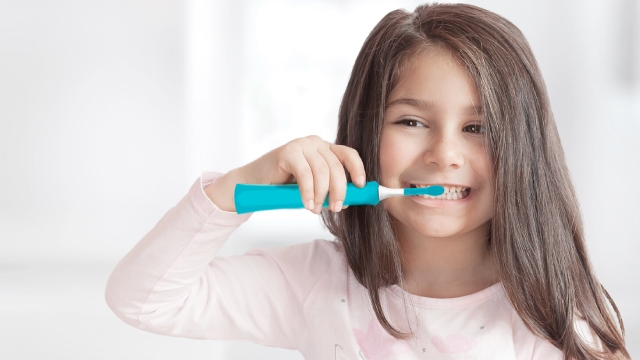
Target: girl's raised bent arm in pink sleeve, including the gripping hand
[172,283]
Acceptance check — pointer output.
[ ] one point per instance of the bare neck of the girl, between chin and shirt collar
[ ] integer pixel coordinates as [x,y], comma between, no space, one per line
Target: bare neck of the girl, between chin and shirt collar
[446,267]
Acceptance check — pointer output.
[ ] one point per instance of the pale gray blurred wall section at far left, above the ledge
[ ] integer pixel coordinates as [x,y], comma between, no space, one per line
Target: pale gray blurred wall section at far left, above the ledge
[92,143]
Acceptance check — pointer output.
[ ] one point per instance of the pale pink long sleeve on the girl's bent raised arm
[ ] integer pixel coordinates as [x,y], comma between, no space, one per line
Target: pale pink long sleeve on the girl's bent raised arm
[171,282]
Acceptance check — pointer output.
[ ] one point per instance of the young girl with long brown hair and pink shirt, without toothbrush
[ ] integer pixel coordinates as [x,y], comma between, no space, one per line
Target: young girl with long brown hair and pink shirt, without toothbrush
[494,269]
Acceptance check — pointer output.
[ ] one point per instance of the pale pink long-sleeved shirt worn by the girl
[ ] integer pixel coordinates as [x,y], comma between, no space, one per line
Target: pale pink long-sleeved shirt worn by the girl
[300,297]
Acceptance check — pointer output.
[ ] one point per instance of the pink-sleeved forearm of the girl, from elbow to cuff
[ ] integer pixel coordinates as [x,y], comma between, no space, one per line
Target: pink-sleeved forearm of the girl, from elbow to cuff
[171,258]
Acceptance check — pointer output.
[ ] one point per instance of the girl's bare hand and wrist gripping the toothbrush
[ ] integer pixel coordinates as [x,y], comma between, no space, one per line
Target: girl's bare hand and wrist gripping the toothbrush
[316,165]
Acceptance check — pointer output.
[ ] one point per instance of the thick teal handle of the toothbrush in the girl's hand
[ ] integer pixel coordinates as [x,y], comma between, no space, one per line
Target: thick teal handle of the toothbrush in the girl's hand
[250,198]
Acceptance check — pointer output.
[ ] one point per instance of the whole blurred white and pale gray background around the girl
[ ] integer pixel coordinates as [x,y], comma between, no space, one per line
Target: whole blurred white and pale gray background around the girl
[110,110]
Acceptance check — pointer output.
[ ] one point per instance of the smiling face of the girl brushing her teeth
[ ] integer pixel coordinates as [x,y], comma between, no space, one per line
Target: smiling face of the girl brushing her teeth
[433,134]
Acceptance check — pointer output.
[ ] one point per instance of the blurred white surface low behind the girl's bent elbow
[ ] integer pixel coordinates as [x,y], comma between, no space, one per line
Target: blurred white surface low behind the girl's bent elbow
[56,311]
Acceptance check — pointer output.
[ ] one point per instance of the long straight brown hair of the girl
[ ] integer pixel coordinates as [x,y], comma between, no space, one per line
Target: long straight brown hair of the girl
[536,232]
